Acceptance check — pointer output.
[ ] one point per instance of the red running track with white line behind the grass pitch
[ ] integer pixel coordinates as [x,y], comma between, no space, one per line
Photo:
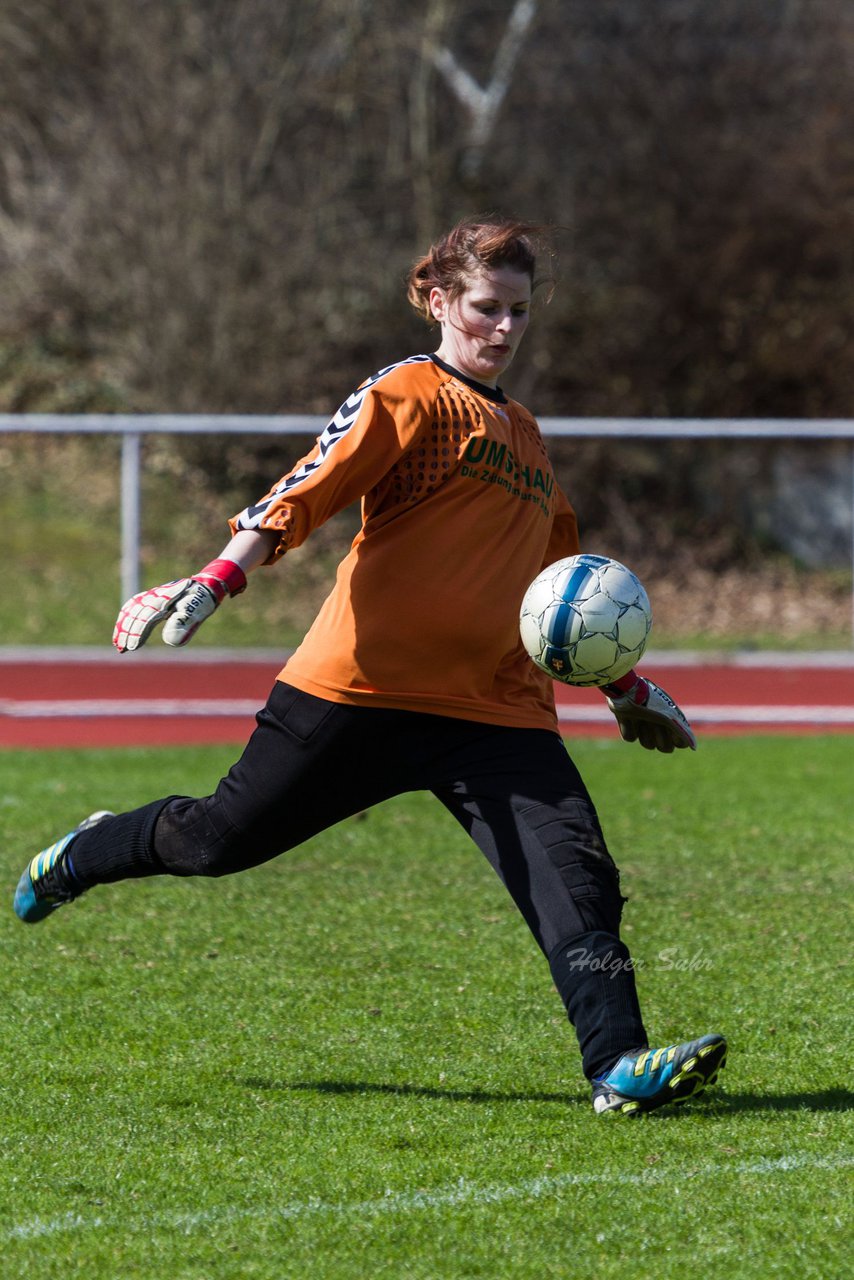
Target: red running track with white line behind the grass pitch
[61,698]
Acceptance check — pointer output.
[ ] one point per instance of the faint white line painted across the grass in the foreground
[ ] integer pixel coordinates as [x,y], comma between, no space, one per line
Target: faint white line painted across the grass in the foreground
[462,1194]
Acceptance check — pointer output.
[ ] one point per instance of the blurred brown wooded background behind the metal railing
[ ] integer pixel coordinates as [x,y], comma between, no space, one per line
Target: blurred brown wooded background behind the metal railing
[212,205]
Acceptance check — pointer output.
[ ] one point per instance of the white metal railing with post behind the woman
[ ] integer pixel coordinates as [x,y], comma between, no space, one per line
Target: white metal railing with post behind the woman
[134,427]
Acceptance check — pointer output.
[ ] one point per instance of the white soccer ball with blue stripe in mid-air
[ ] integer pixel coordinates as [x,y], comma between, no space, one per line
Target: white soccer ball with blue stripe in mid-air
[586,620]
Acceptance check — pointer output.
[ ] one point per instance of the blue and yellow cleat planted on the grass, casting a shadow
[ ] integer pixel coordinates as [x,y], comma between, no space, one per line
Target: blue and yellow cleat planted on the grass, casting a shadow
[654,1077]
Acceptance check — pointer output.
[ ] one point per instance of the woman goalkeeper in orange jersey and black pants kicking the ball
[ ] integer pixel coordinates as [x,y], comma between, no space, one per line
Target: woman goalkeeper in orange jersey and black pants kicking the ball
[396,691]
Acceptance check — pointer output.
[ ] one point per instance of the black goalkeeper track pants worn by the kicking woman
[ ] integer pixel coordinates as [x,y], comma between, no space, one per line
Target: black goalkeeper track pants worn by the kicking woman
[310,764]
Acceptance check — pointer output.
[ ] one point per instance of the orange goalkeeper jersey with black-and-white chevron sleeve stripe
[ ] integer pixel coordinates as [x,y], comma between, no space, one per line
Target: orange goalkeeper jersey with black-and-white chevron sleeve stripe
[460,513]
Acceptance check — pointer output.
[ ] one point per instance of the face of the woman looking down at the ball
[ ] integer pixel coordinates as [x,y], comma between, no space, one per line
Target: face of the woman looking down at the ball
[483,328]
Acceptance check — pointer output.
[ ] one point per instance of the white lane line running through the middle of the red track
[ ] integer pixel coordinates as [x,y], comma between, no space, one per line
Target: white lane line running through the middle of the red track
[89,708]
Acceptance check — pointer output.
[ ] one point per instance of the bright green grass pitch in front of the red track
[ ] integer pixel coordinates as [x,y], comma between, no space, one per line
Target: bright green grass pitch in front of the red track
[351,1063]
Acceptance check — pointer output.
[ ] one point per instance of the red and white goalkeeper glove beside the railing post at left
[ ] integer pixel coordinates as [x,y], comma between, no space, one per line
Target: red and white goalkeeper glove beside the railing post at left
[186,604]
